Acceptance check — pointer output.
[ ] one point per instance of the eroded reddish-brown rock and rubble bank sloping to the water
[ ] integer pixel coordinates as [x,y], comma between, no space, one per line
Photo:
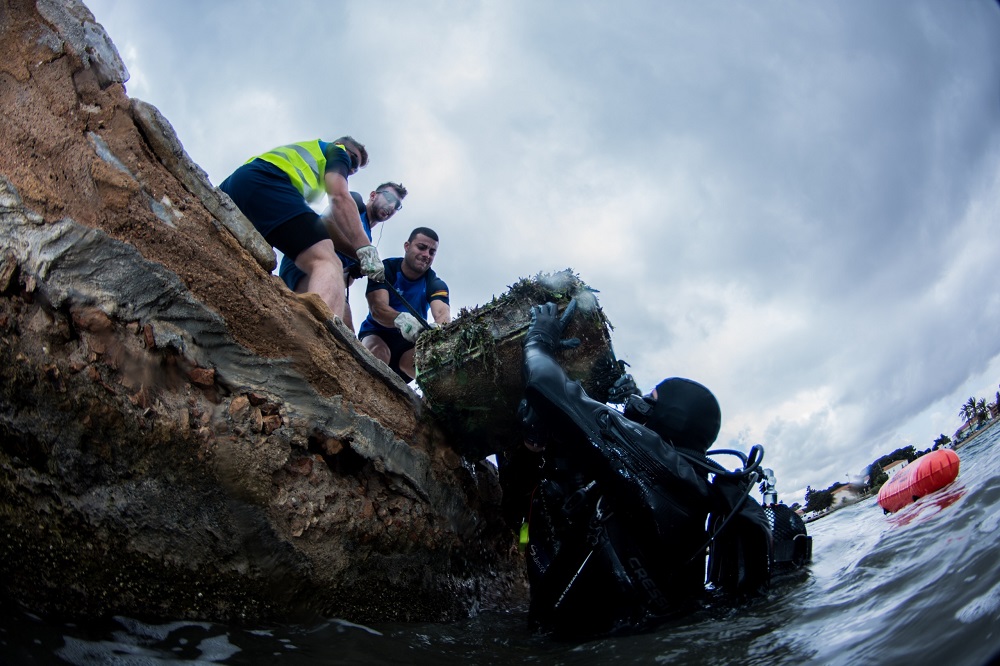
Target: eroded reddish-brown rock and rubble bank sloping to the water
[178,436]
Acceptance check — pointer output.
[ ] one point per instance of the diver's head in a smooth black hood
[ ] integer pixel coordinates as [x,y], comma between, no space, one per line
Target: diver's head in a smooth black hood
[683,412]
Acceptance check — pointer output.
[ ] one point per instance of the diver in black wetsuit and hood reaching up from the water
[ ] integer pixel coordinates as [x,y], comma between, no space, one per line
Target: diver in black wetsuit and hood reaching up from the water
[616,504]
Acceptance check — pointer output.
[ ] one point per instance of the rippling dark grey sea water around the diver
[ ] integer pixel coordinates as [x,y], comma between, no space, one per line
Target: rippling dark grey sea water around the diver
[921,586]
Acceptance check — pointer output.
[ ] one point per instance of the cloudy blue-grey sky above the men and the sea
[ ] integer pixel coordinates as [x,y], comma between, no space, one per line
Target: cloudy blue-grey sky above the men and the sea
[794,203]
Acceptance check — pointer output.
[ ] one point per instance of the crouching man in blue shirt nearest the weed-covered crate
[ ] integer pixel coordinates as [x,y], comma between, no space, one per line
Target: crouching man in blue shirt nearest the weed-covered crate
[390,331]
